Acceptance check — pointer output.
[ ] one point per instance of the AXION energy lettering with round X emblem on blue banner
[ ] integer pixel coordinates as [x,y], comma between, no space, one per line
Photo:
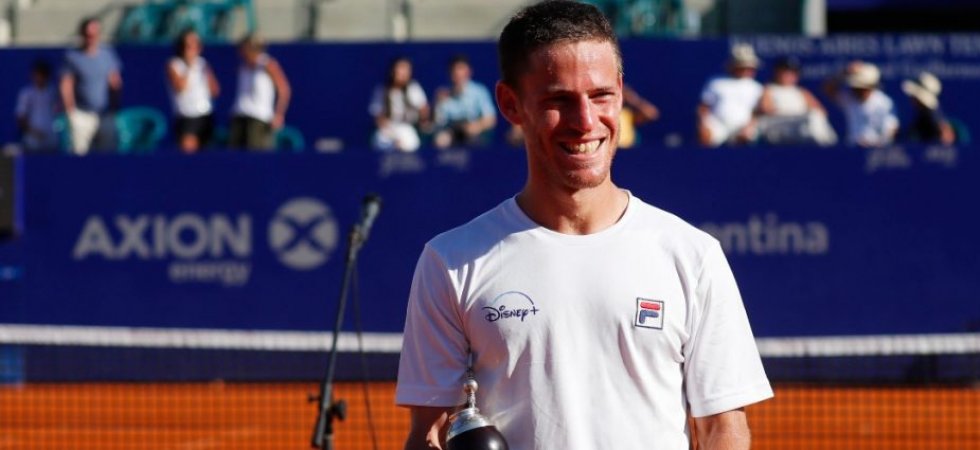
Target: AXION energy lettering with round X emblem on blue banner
[210,247]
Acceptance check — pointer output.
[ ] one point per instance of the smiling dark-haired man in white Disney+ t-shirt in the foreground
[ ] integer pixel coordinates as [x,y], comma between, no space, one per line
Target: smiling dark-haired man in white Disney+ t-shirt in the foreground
[591,319]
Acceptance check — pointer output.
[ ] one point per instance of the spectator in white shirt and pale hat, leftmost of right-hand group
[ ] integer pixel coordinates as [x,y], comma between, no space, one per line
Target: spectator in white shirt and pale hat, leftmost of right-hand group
[725,114]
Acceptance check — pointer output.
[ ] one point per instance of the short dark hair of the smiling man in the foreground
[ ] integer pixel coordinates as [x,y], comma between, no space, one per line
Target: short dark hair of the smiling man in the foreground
[548,23]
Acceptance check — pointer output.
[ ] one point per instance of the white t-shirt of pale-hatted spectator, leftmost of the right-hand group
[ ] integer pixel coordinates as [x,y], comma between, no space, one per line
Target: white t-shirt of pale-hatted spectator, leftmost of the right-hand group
[732,100]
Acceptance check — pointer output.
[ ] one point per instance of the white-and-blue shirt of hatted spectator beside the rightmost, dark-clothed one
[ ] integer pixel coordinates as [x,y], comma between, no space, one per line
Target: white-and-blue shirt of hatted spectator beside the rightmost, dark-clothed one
[872,122]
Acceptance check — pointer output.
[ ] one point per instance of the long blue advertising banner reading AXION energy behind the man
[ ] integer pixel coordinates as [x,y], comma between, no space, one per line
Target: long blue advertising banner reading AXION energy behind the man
[829,242]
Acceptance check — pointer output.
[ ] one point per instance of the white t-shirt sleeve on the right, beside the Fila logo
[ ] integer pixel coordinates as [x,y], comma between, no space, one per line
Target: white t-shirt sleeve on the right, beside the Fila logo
[722,369]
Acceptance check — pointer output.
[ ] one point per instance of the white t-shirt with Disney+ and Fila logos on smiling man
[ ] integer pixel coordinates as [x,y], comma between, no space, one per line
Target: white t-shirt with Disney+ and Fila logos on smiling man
[602,341]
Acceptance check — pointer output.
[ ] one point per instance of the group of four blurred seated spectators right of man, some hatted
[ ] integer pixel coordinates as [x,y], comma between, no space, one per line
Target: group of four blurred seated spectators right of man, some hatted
[736,109]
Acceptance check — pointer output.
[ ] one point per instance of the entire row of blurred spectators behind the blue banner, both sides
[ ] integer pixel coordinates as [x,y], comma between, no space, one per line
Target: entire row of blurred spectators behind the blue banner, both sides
[735,108]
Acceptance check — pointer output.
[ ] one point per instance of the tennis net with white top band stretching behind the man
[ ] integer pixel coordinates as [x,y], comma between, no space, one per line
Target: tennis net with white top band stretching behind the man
[136,388]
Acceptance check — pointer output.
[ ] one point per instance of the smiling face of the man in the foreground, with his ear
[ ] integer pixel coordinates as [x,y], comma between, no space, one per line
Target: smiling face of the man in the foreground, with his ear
[568,103]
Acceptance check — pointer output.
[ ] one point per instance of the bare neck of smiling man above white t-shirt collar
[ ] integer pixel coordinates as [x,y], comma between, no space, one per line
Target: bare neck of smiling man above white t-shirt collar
[579,212]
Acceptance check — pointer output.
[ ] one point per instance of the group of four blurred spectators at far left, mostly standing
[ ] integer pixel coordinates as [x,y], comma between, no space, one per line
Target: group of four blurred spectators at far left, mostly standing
[85,95]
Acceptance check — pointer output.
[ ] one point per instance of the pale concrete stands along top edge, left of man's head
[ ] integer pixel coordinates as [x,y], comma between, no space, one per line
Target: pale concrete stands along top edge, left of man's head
[52,22]
